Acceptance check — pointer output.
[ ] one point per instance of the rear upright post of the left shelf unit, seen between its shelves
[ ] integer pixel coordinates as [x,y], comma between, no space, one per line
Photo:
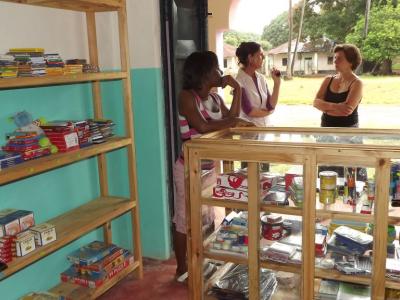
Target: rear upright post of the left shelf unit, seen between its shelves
[98,113]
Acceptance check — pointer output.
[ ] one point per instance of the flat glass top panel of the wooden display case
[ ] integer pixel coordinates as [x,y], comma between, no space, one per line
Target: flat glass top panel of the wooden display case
[314,138]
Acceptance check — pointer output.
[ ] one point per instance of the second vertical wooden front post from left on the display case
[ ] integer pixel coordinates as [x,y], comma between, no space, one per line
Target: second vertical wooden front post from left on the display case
[254,230]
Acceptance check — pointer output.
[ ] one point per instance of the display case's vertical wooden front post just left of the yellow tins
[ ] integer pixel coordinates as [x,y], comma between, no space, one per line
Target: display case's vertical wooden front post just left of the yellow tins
[308,235]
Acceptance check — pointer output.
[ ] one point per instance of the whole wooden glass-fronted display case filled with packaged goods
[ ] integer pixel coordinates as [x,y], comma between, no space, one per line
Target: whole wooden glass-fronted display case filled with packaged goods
[303,213]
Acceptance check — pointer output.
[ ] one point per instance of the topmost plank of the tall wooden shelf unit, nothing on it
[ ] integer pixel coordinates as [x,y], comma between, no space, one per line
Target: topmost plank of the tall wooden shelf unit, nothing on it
[76,5]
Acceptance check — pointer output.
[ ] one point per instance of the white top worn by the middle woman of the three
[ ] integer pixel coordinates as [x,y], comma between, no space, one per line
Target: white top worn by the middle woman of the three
[256,98]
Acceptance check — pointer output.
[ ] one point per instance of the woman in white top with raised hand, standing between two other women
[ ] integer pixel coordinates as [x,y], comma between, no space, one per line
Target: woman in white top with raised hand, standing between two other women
[257,101]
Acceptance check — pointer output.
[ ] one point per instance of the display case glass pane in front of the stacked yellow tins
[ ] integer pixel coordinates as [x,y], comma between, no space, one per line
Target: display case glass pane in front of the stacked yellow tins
[346,189]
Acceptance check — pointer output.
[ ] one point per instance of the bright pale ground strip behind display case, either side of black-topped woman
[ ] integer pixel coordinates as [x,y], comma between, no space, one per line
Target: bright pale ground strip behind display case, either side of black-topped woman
[371,116]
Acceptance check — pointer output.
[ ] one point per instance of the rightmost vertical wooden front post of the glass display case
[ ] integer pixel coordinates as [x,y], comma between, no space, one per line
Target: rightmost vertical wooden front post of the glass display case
[380,228]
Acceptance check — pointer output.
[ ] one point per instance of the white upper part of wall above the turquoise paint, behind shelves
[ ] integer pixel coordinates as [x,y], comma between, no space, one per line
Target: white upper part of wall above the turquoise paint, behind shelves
[64,32]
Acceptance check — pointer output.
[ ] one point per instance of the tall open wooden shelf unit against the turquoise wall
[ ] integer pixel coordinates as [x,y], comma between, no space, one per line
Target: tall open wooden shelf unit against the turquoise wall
[99,212]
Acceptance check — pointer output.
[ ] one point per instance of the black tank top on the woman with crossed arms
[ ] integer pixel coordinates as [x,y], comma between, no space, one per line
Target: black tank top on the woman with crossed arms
[333,121]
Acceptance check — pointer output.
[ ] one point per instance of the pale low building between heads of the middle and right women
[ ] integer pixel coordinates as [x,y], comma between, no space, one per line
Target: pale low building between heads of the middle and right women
[313,57]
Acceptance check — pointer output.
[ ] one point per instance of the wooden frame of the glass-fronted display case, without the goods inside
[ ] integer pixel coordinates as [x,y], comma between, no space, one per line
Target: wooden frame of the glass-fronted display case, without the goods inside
[274,145]
